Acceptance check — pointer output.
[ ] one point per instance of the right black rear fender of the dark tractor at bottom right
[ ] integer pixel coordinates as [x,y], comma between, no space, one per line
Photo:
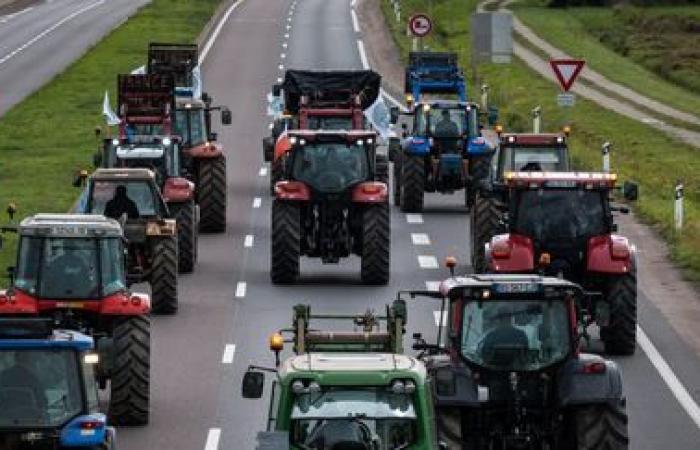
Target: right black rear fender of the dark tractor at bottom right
[588,379]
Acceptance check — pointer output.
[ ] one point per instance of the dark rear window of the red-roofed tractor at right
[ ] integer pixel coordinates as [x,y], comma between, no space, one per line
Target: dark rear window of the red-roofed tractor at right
[556,215]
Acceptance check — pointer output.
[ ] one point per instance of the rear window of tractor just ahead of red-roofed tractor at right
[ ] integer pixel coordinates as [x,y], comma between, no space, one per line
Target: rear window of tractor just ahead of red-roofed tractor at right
[539,159]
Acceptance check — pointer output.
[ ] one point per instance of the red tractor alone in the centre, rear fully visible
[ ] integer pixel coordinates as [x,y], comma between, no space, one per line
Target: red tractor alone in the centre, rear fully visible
[330,204]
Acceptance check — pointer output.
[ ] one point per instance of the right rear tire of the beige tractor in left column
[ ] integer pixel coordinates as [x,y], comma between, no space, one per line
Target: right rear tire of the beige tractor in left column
[164,276]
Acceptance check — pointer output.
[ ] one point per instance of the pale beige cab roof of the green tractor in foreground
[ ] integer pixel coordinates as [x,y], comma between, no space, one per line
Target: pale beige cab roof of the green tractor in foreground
[381,365]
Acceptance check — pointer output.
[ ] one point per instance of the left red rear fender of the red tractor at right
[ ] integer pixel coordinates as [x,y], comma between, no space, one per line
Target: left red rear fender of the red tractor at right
[508,253]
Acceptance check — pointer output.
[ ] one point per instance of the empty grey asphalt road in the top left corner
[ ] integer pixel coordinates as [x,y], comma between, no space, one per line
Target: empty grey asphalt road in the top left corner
[39,39]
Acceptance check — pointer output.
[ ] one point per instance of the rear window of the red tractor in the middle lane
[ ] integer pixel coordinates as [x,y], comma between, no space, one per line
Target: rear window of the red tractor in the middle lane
[330,167]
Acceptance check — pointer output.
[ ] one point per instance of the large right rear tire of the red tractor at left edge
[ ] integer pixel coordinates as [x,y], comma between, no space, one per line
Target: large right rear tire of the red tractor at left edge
[130,381]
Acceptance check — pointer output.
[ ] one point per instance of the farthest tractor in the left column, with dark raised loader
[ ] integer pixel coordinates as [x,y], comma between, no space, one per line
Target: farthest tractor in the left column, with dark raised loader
[202,157]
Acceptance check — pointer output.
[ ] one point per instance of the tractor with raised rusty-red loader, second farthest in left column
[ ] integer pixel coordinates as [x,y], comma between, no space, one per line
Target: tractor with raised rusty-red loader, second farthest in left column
[146,140]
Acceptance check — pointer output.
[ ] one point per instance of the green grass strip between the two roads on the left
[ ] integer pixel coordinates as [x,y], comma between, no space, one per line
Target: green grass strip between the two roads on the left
[48,137]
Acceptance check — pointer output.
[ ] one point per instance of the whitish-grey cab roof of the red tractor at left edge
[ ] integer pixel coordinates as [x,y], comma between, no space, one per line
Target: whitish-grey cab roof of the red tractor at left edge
[70,225]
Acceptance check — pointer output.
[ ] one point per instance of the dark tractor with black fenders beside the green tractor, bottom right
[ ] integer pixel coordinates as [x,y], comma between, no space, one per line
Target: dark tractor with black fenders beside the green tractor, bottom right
[510,374]
